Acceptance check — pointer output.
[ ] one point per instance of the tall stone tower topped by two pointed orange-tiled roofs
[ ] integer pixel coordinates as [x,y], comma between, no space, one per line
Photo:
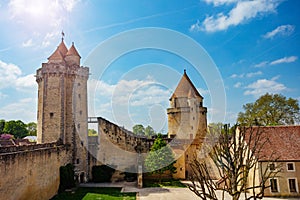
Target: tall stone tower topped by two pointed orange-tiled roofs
[62,103]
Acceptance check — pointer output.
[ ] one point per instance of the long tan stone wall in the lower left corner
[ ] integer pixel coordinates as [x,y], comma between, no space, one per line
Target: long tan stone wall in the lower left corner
[31,172]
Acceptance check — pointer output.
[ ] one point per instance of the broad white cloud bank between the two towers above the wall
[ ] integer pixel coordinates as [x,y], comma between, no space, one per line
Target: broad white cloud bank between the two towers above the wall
[127,102]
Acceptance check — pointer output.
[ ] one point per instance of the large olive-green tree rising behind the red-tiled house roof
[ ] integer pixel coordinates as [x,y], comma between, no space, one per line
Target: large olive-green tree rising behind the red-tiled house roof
[270,109]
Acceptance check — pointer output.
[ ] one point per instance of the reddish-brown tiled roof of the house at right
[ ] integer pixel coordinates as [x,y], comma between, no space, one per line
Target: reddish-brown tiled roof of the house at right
[283,143]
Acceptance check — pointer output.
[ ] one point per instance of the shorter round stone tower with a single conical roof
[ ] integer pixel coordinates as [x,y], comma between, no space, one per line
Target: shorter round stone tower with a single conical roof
[187,120]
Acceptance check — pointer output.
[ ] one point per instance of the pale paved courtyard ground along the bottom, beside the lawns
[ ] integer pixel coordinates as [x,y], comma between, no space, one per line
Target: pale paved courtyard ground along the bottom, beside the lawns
[160,193]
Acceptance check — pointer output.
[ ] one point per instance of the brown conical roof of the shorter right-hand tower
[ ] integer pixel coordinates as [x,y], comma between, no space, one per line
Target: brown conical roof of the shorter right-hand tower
[185,88]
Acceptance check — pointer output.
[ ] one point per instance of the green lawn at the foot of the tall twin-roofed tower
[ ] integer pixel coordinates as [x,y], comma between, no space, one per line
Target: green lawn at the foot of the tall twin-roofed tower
[96,193]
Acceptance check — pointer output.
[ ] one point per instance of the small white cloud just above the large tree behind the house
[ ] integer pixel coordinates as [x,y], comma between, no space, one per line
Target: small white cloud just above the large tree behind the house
[262,86]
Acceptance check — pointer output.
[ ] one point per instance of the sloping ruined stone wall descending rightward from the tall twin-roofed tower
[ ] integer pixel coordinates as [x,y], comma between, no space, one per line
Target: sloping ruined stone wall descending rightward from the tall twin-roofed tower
[118,147]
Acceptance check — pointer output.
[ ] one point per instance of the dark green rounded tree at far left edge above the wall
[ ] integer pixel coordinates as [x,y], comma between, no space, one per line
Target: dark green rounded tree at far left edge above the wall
[16,128]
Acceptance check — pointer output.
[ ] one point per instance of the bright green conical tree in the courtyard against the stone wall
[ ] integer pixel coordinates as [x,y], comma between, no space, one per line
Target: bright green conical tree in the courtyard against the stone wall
[160,158]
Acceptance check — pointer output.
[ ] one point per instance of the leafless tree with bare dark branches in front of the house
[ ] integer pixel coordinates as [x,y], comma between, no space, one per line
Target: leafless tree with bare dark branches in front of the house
[235,155]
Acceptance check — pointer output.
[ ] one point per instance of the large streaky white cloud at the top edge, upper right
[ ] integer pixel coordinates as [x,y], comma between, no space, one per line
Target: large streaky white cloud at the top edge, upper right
[242,12]
